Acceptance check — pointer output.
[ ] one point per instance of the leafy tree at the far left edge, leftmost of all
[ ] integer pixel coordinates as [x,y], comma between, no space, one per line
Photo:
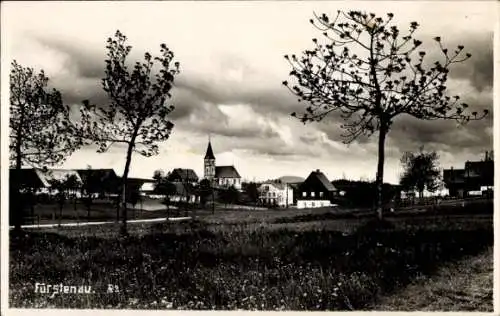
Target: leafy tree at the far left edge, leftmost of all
[41,133]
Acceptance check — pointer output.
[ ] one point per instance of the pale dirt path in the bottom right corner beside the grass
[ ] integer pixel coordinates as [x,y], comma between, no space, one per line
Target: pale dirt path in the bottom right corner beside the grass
[466,285]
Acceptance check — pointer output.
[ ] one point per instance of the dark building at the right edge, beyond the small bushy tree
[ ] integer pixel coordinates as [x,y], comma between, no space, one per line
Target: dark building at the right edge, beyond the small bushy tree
[477,177]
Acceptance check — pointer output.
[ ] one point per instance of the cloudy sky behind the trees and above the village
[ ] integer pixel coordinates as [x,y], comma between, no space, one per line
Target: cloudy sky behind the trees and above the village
[232,66]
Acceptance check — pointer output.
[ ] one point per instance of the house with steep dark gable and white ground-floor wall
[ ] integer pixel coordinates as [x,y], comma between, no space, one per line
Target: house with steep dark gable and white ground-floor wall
[315,191]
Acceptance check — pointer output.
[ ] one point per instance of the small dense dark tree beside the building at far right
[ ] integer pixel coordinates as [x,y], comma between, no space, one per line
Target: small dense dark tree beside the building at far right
[421,171]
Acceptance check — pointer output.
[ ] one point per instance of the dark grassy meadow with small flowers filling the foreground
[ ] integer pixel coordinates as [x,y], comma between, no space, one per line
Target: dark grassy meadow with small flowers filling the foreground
[259,260]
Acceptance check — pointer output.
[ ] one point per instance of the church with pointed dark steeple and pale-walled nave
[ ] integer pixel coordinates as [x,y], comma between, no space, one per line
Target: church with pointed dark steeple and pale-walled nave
[222,176]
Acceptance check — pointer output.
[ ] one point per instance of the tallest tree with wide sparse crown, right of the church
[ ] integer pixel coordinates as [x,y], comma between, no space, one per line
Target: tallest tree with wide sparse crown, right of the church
[370,73]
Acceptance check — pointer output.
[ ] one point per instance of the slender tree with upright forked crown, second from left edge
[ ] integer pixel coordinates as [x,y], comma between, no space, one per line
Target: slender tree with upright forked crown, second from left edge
[137,115]
